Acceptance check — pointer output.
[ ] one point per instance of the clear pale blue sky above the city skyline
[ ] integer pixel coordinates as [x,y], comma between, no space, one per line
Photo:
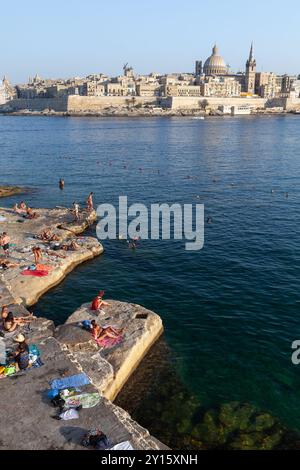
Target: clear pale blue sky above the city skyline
[77,37]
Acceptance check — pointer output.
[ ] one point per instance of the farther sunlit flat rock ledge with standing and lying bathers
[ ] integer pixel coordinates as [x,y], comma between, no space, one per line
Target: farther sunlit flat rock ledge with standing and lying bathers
[28,289]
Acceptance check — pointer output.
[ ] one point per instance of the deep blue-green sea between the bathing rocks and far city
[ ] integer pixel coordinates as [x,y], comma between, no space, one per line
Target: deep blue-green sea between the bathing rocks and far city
[231,310]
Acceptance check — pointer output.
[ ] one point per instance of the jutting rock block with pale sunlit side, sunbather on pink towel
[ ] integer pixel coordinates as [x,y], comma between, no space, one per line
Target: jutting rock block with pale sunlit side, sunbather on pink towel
[110,368]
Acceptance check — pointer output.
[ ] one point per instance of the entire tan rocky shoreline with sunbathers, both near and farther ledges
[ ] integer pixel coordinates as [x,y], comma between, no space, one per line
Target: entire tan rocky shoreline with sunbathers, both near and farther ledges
[68,349]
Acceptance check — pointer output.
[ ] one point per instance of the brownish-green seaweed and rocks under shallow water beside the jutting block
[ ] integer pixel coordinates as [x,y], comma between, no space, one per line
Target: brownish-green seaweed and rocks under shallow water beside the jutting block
[157,399]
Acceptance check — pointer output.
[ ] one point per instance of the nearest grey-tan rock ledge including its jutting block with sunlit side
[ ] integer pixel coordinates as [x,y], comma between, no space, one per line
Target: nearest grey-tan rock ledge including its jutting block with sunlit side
[68,350]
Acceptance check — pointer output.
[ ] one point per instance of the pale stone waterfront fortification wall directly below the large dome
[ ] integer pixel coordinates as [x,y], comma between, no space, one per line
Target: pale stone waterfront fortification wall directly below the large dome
[179,102]
